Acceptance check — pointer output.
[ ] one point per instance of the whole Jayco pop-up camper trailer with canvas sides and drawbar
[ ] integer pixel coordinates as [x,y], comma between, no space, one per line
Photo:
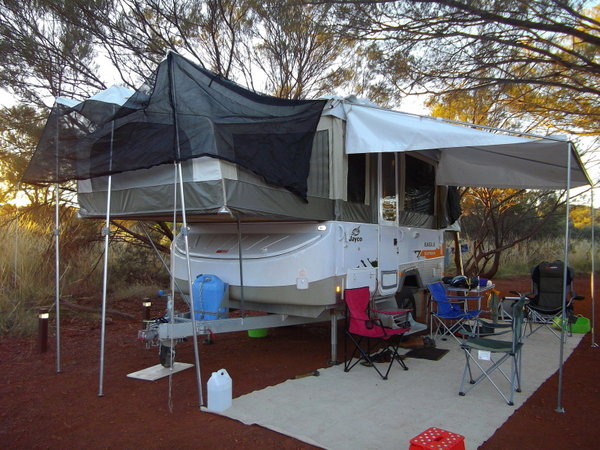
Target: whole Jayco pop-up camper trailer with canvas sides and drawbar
[369,219]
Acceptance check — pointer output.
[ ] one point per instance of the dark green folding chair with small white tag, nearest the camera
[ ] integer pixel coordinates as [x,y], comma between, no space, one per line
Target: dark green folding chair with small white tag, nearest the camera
[488,349]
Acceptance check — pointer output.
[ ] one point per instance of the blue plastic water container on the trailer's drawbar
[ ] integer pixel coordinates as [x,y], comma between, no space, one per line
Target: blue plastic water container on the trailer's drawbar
[208,292]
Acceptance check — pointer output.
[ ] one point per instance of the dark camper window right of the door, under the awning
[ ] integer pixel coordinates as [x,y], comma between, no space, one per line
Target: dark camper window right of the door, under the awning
[419,187]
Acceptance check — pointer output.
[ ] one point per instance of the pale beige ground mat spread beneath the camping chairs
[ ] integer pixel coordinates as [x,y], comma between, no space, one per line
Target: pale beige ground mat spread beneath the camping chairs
[359,410]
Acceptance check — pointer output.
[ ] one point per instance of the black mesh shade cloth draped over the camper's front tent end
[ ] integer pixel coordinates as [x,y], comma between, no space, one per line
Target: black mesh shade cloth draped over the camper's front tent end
[184,112]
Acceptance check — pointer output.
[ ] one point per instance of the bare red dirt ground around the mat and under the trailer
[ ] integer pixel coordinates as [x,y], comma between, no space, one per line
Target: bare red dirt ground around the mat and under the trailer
[43,409]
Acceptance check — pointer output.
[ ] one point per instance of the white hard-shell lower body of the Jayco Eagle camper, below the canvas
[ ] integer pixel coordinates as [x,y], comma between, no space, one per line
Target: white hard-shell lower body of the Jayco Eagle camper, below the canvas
[295,268]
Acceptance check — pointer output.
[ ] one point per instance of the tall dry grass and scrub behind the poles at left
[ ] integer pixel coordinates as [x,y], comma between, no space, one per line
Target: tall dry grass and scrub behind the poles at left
[27,271]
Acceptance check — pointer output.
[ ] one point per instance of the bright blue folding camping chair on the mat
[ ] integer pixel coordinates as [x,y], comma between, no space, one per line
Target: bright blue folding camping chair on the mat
[449,309]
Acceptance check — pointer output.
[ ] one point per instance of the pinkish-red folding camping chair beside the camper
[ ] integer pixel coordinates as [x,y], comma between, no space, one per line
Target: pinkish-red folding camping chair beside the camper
[369,335]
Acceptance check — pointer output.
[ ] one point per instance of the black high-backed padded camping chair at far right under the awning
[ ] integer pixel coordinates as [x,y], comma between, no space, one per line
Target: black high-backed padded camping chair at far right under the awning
[545,304]
